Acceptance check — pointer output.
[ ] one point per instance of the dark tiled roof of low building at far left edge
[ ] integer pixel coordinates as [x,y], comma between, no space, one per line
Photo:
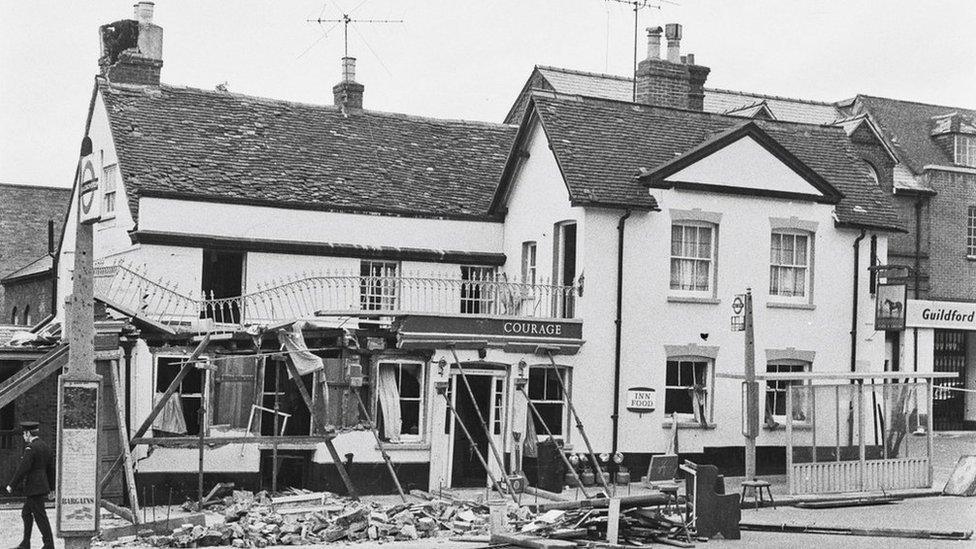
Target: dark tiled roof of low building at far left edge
[24,212]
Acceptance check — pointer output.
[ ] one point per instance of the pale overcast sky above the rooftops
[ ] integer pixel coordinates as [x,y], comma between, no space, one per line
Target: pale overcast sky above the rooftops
[467,59]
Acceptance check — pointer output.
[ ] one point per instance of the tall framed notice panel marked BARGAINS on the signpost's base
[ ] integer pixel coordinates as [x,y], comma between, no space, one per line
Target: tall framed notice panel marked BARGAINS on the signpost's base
[77,477]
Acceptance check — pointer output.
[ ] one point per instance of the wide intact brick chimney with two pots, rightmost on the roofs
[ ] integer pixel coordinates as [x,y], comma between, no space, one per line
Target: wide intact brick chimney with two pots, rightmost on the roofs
[673,82]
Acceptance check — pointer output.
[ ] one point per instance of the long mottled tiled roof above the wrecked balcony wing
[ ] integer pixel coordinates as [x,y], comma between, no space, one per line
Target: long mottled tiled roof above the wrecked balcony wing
[218,145]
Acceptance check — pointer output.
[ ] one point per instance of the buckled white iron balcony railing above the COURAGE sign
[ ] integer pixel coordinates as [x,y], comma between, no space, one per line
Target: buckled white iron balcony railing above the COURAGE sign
[131,290]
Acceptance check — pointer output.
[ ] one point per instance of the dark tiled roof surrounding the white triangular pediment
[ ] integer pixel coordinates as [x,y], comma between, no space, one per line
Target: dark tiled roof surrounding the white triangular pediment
[601,144]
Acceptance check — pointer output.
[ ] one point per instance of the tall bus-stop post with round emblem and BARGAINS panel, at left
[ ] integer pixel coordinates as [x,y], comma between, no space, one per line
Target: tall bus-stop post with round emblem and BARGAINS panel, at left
[79,386]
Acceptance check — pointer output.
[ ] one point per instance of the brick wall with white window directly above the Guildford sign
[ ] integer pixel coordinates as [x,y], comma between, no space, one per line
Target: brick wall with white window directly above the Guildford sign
[952,273]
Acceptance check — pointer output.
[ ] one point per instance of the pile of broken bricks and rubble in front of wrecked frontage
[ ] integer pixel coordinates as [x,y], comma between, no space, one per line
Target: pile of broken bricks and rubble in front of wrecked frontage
[257,520]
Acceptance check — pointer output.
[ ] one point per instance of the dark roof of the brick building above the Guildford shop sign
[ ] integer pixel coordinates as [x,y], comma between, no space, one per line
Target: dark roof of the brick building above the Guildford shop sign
[908,127]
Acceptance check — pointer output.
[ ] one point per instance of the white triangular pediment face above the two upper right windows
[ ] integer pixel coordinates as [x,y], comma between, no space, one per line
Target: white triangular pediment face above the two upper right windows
[747,165]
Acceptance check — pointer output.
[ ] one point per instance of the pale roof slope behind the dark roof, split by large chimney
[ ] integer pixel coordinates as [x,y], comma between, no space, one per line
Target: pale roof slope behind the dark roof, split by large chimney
[620,88]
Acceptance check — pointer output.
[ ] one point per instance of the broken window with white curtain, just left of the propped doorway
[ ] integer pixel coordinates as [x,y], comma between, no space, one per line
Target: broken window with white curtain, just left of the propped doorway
[400,399]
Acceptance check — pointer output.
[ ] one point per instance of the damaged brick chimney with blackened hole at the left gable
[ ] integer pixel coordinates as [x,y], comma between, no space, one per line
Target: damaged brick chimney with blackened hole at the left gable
[132,49]
